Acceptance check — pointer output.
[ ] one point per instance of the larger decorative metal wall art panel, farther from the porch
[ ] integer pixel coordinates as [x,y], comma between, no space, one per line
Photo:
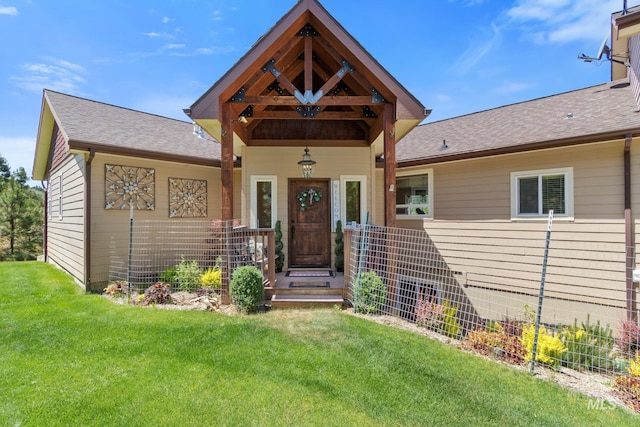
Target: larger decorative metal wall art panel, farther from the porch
[127,186]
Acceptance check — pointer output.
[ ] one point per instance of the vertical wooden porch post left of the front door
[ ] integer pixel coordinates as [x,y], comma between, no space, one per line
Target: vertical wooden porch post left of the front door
[226,162]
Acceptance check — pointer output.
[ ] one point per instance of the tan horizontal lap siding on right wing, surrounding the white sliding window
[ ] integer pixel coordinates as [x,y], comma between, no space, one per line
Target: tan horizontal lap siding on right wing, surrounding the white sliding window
[473,231]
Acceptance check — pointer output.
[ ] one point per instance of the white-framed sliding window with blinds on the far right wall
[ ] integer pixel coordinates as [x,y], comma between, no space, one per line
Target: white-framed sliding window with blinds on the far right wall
[534,193]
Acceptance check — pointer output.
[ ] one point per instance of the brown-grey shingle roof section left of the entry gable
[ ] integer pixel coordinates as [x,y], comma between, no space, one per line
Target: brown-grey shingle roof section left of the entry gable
[108,128]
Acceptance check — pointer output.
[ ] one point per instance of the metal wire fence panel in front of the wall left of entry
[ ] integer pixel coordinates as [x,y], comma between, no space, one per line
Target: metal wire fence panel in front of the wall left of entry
[187,254]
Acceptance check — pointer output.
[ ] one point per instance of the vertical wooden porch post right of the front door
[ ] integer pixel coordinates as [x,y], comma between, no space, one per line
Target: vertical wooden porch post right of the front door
[389,165]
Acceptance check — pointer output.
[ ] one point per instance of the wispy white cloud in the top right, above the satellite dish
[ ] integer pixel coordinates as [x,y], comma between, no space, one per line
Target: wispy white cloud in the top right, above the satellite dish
[557,21]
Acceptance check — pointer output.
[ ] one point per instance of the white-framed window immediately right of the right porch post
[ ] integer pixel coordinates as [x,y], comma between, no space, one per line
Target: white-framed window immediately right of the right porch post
[414,194]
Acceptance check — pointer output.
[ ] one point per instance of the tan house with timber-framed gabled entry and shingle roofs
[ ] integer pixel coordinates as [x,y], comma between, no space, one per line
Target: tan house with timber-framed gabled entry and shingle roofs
[308,88]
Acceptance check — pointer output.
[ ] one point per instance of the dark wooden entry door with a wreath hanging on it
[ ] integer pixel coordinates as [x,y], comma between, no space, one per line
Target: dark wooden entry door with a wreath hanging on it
[309,223]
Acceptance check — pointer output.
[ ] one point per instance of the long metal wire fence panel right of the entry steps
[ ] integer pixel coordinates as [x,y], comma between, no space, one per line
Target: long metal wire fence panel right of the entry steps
[470,288]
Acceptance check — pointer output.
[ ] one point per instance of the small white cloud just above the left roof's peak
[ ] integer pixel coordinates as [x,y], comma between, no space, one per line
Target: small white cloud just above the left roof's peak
[54,74]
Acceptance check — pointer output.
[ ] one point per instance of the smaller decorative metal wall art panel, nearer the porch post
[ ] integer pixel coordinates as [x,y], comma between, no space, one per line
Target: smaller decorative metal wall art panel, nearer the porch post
[187,198]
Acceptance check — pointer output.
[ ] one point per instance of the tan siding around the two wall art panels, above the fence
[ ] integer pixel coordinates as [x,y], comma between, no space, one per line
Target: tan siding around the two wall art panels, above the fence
[109,228]
